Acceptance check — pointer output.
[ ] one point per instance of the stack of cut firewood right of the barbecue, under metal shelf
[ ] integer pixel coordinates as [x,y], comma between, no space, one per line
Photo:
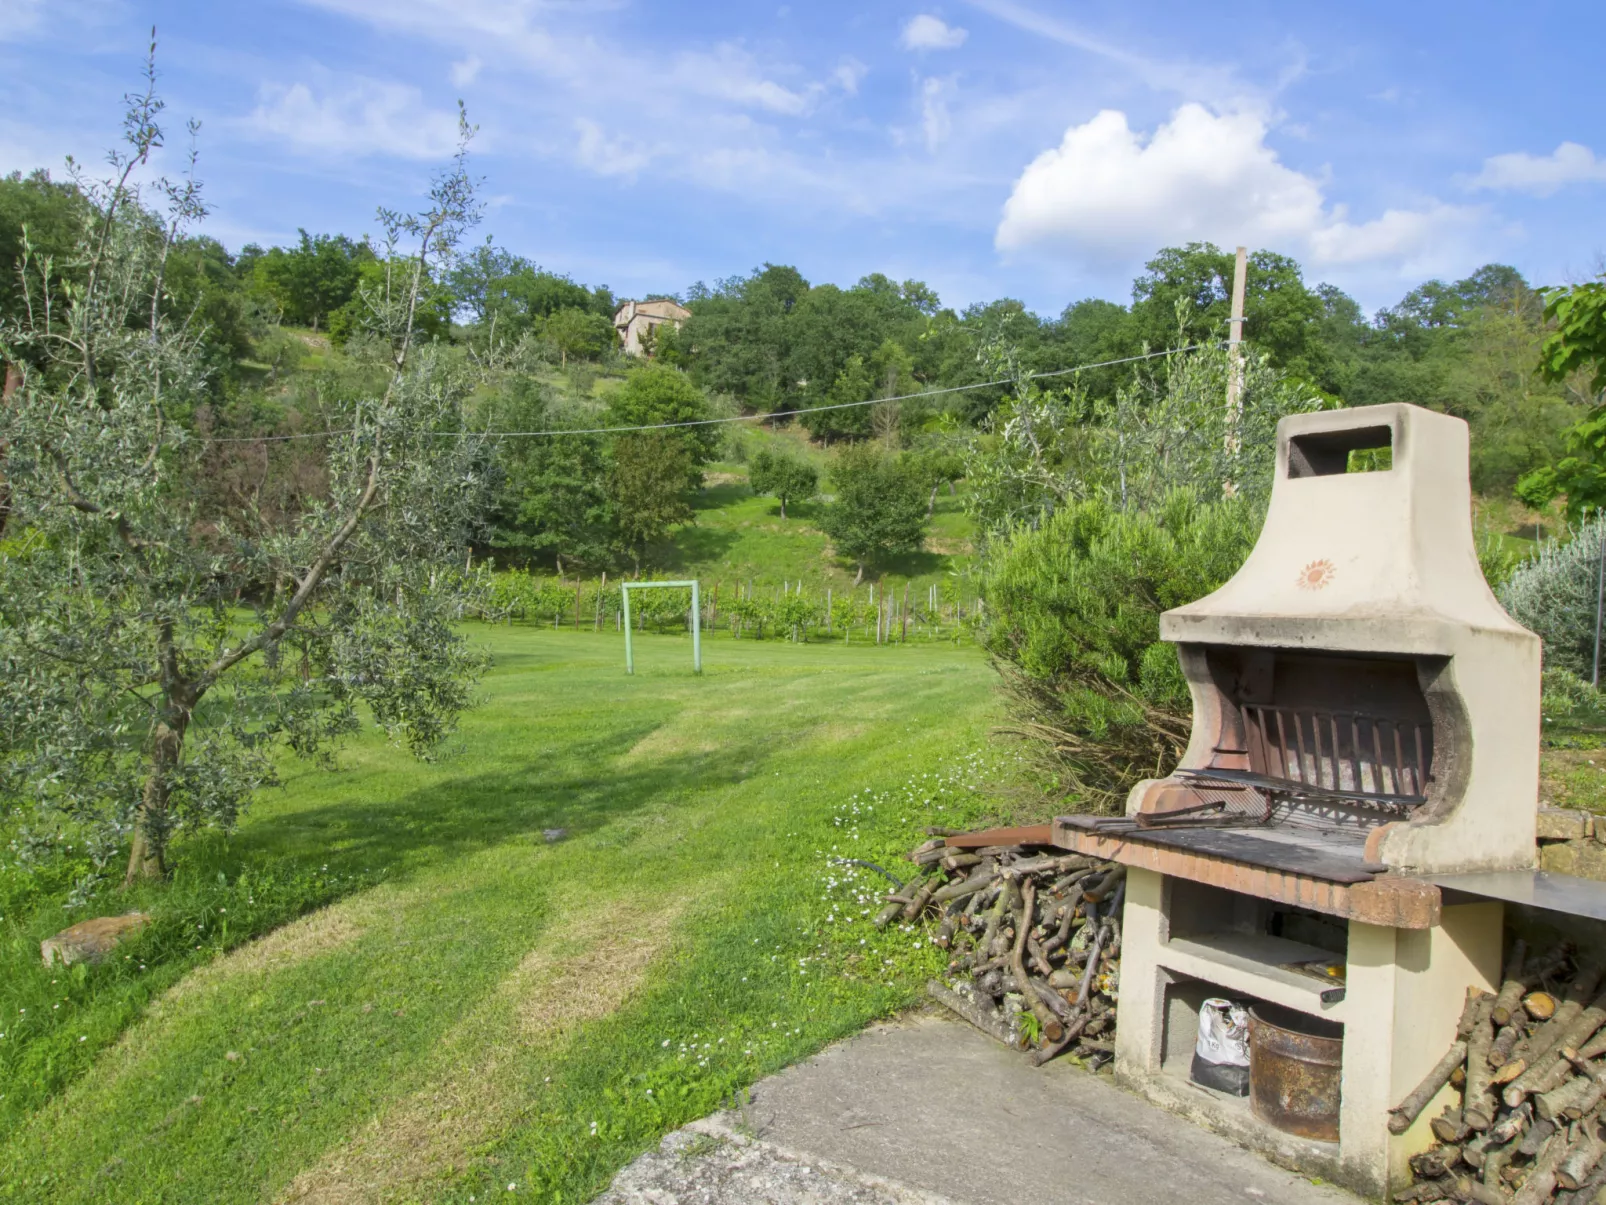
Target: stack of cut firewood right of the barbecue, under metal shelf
[1528,1127]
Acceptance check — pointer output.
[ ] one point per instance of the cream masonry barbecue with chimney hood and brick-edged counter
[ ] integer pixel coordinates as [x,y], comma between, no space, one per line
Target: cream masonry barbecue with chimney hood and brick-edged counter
[1366,717]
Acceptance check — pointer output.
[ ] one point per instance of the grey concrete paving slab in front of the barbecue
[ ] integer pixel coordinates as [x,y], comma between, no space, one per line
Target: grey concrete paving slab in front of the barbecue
[929,1106]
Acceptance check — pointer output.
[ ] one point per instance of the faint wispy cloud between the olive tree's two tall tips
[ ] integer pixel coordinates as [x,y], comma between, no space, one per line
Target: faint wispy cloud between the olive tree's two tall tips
[367,118]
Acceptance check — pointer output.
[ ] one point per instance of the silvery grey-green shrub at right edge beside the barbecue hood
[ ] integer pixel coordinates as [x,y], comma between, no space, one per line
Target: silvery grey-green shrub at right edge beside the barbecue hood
[1555,595]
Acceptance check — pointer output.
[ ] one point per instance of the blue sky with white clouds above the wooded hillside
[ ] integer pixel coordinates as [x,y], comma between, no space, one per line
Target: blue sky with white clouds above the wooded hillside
[1027,149]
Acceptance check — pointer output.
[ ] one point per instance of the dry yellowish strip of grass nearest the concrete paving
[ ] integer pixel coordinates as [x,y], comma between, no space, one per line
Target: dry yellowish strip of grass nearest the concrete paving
[587,968]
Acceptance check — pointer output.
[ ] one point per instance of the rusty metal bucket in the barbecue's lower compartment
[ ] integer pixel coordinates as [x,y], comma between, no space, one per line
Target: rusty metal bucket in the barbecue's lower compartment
[1295,1071]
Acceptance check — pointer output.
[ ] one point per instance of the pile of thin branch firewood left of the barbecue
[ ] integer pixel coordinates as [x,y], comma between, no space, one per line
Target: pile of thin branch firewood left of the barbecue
[1035,939]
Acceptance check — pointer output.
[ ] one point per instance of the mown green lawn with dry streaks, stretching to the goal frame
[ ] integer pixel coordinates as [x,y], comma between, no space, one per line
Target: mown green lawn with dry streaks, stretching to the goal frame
[516,1016]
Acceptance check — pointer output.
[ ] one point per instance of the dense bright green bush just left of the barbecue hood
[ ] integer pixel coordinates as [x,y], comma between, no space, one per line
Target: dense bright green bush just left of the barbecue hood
[1074,624]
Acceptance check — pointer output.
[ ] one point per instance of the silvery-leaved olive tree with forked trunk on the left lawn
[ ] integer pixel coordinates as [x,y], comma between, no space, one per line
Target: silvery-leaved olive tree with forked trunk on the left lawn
[155,655]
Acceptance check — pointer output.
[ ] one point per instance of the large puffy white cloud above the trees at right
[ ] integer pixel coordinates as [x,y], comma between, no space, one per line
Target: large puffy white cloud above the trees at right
[1109,195]
